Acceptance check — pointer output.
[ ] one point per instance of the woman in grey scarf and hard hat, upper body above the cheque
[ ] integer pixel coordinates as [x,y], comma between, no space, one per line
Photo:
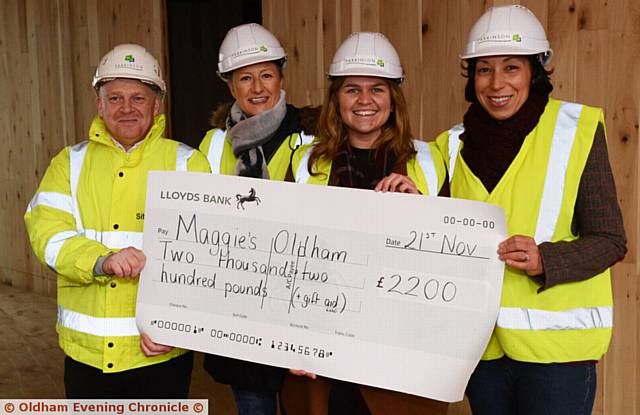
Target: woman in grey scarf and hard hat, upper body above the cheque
[257,134]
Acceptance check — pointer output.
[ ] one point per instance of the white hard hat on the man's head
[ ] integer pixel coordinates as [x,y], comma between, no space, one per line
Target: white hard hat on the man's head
[129,61]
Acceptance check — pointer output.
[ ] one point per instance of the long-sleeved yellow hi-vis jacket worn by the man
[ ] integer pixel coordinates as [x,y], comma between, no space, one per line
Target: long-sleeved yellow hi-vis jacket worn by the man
[91,203]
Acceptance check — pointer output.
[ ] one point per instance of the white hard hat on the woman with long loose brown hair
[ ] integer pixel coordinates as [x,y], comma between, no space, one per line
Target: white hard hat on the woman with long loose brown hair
[366,54]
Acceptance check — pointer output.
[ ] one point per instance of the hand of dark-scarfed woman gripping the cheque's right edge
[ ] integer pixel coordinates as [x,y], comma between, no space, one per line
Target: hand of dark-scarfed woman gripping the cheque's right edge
[521,252]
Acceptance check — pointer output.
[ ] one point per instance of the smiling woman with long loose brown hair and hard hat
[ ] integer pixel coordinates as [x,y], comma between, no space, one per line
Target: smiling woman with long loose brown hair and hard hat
[364,141]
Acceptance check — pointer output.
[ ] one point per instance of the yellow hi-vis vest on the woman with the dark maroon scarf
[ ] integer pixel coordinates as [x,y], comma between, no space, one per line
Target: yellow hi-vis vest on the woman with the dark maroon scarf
[568,322]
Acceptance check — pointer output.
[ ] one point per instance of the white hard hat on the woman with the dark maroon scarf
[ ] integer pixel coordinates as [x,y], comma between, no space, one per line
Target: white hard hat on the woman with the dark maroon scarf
[508,30]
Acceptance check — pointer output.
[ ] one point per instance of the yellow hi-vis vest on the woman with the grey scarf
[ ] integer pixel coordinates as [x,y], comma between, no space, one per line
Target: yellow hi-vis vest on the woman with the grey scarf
[219,152]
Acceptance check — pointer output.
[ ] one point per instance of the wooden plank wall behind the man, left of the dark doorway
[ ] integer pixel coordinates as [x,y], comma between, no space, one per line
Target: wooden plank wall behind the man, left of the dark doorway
[49,50]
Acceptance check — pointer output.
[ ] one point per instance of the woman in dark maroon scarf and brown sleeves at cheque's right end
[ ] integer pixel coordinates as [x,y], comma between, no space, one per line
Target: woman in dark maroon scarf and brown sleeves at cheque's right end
[545,162]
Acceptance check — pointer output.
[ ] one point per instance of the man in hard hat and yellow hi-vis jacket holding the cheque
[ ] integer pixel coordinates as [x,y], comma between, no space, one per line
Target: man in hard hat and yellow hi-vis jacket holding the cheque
[85,222]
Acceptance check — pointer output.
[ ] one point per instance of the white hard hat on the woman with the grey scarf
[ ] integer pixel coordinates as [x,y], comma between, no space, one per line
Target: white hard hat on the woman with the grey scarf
[247,44]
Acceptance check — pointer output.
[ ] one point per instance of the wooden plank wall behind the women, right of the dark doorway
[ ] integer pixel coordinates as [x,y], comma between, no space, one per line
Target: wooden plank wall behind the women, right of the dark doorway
[596,59]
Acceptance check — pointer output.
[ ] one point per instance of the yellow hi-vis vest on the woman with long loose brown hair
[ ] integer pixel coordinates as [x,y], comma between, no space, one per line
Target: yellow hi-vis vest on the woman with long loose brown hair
[426,168]
